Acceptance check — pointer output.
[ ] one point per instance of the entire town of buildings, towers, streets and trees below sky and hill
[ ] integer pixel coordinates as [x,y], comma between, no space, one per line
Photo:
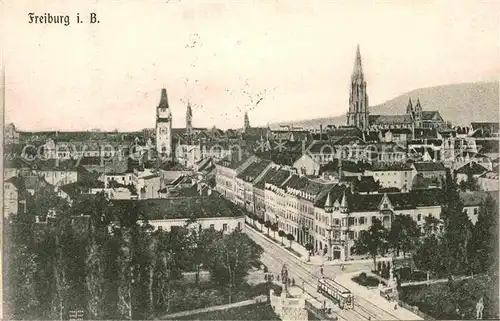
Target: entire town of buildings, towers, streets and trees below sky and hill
[386,217]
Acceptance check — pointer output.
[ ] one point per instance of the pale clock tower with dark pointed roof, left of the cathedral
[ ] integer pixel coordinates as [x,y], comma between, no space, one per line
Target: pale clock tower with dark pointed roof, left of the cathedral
[164,126]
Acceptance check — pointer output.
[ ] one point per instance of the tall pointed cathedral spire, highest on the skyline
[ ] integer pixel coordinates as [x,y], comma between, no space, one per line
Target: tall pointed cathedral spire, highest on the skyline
[358,98]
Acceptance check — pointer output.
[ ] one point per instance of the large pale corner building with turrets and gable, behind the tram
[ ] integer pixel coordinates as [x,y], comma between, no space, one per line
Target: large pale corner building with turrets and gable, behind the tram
[342,215]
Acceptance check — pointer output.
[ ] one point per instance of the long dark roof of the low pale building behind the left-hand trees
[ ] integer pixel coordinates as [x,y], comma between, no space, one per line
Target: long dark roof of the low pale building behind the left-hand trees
[183,207]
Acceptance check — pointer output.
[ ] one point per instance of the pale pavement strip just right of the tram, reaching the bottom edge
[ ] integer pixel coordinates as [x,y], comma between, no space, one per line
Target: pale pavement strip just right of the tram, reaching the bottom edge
[374,297]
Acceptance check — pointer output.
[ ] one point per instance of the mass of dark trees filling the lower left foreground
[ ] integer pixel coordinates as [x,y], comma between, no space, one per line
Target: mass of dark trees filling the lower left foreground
[109,261]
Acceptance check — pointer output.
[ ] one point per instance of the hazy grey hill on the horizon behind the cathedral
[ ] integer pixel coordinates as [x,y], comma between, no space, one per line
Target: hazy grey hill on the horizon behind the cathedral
[460,104]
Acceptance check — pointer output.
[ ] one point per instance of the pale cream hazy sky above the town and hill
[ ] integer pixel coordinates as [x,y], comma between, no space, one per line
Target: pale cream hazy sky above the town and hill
[109,75]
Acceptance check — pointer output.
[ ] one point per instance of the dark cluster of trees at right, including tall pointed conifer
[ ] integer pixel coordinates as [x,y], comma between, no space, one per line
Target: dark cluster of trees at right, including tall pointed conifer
[462,248]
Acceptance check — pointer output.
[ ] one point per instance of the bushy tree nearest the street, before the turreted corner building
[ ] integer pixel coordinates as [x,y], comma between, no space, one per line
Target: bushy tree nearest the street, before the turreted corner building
[372,241]
